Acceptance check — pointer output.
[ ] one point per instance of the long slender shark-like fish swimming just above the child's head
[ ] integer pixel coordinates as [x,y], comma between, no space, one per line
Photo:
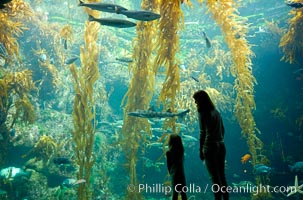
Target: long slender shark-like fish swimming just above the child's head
[154,114]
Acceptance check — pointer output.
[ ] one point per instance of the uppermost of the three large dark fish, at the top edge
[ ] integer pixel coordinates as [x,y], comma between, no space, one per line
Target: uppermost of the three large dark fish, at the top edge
[104,7]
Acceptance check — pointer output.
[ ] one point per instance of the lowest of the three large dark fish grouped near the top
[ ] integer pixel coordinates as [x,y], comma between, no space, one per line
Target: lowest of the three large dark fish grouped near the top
[118,23]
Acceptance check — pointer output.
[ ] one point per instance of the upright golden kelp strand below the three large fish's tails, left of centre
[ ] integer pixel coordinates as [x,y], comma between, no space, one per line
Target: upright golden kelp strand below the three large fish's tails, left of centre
[84,103]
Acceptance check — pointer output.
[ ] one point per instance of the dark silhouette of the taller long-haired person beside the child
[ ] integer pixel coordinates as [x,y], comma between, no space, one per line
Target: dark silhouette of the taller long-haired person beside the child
[212,147]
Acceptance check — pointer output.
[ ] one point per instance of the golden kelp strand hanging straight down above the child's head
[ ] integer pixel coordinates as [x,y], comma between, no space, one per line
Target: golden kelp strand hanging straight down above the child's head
[168,46]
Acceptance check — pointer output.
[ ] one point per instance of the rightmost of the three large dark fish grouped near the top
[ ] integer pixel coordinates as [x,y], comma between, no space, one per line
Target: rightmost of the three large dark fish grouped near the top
[142,15]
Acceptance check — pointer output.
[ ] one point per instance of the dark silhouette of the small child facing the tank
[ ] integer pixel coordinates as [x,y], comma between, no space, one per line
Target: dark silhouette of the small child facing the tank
[175,157]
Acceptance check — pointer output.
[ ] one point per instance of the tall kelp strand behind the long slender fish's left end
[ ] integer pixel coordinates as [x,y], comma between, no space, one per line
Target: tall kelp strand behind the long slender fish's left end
[139,94]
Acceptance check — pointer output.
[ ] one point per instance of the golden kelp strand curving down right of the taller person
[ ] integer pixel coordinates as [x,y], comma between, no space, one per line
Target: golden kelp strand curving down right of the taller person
[225,14]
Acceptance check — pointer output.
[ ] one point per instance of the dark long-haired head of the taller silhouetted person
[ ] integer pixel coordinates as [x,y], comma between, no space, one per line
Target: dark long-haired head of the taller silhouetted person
[203,101]
